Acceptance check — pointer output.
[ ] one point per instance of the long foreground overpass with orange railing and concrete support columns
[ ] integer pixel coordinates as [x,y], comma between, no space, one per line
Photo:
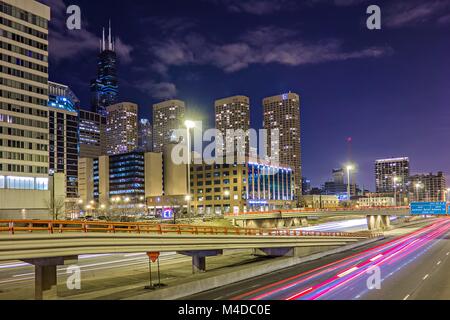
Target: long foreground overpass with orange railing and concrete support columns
[47,244]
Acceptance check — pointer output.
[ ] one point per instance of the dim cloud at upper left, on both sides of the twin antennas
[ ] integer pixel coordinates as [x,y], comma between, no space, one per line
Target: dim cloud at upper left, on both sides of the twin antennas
[66,44]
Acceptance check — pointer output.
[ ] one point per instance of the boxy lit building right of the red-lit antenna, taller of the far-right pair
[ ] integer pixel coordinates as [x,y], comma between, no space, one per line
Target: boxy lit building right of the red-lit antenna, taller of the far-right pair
[391,174]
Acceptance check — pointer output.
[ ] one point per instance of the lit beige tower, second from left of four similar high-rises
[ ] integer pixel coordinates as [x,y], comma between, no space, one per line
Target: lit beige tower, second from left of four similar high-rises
[167,116]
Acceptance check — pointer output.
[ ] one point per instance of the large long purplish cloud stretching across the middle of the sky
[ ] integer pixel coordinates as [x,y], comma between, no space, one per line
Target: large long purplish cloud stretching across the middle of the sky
[261,46]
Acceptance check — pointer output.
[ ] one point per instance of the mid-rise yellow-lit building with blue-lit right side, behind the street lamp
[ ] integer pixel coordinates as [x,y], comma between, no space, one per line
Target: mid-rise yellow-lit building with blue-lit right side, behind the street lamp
[223,188]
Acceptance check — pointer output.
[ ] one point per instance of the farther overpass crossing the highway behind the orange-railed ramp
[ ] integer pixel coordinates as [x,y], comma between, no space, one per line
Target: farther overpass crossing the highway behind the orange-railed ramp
[377,217]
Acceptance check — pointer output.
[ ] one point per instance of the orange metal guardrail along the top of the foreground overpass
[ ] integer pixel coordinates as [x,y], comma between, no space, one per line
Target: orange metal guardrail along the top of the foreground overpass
[13,227]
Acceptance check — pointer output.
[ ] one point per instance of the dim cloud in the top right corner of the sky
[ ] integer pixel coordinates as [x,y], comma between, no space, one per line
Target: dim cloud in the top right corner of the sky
[415,12]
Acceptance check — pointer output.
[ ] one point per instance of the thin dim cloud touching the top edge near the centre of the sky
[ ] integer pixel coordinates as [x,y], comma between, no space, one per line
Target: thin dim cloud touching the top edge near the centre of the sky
[255,7]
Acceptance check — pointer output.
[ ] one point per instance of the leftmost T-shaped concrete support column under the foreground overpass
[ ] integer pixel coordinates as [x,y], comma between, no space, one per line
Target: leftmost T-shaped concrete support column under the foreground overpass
[46,280]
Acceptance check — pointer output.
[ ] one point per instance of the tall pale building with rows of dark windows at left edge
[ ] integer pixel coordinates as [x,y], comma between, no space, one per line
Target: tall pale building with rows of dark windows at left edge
[24,124]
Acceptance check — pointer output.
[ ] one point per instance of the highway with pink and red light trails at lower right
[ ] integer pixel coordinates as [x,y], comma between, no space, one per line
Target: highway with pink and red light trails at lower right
[413,266]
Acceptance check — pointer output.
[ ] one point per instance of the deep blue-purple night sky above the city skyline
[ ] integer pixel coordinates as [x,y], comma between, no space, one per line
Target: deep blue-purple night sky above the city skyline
[387,89]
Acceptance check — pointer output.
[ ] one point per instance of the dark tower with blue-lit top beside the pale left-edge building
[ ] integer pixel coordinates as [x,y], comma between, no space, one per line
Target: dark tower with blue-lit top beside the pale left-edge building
[63,130]
